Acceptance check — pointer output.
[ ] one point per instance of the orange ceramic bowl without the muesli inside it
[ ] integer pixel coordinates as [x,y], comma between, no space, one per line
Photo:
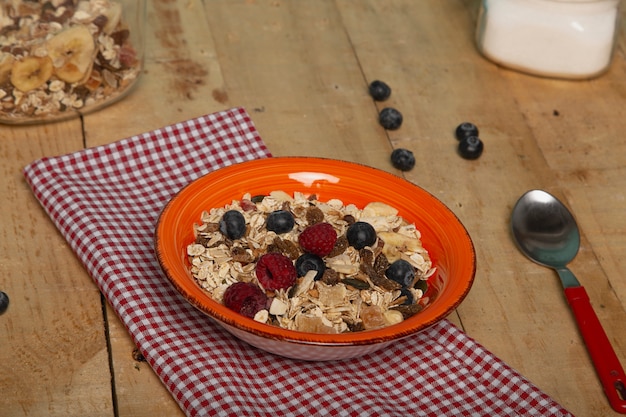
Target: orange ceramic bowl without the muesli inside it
[443,235]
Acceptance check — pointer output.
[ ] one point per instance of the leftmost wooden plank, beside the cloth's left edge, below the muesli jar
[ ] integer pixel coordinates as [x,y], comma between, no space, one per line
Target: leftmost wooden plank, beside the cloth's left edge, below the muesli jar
[53,357]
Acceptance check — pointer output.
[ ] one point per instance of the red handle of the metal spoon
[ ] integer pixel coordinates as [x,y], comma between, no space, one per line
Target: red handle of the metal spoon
[605,360]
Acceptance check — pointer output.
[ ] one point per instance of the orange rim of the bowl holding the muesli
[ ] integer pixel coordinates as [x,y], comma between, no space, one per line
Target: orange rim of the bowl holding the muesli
[186,286]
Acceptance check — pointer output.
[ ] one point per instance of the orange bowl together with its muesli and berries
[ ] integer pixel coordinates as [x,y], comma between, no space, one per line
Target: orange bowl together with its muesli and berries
[313,258]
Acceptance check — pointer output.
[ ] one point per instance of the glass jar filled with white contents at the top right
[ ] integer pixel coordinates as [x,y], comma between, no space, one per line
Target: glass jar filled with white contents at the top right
[554,38]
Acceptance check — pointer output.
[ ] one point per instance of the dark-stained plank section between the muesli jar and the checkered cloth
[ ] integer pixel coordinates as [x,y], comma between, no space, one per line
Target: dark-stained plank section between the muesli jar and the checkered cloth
[181,79]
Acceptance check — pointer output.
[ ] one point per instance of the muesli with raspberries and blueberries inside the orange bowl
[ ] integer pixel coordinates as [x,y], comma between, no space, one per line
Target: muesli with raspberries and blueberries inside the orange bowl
[302,264]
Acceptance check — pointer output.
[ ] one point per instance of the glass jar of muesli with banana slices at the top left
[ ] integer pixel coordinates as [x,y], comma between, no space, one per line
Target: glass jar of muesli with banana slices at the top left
[63,58]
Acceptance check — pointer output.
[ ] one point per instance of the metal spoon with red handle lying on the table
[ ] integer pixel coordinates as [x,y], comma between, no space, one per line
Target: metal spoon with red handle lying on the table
[547,233]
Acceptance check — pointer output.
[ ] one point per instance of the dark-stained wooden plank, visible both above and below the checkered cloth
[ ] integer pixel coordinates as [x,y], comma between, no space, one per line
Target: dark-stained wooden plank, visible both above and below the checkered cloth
[181,80]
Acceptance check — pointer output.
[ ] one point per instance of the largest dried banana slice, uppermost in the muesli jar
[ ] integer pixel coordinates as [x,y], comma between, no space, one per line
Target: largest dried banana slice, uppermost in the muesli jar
[72,53]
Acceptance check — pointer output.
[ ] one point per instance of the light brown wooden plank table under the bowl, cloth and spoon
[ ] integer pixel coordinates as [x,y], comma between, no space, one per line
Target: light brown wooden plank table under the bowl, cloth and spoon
[301,69]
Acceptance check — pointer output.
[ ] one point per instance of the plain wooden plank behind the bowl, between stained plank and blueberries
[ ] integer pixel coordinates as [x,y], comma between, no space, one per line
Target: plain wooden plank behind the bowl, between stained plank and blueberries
[293,67]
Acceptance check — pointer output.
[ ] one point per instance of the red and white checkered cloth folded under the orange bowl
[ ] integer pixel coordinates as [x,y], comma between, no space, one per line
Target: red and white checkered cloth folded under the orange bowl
[106,200]
